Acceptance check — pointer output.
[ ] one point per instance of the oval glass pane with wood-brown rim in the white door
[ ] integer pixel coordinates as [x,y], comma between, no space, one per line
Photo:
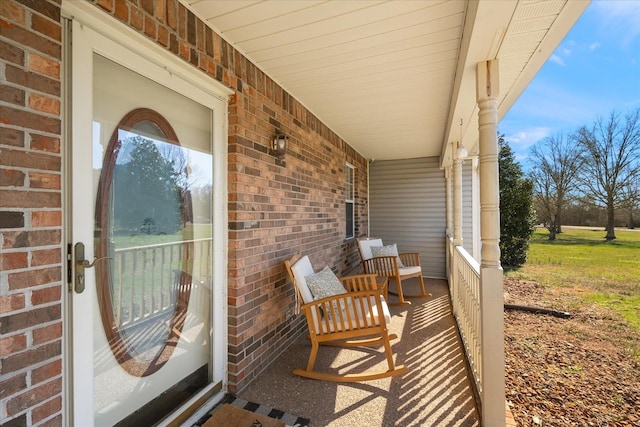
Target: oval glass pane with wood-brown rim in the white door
[144,250]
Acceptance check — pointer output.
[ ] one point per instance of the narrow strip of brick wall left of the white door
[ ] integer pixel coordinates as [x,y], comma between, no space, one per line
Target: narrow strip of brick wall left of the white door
[31,283]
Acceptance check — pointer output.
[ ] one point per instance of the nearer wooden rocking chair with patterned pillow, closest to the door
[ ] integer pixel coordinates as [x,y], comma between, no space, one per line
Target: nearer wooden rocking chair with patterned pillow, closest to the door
[357,318]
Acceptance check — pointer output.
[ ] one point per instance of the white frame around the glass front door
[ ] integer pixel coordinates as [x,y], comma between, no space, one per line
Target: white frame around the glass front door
[117,41]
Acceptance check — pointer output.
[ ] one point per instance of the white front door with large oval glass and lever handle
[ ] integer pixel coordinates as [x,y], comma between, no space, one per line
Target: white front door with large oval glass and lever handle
[147,237]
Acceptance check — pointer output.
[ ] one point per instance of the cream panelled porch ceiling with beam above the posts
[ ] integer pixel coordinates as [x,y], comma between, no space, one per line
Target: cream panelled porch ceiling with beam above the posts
[394,79]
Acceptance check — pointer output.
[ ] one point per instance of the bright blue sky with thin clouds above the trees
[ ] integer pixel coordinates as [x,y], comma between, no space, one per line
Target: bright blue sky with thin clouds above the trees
[594,70]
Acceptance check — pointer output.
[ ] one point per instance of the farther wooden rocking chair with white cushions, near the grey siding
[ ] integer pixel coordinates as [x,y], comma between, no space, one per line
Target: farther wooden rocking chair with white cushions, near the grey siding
[390,267]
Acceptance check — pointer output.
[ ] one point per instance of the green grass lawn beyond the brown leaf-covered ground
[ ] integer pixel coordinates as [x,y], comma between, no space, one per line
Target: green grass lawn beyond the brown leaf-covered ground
[606,273]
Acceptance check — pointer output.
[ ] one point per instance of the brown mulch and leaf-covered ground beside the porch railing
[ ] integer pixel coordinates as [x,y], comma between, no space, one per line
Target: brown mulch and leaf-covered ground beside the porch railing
[581,371]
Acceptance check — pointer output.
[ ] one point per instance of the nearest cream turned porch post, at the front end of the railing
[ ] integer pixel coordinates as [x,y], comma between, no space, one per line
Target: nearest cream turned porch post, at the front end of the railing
[491,286]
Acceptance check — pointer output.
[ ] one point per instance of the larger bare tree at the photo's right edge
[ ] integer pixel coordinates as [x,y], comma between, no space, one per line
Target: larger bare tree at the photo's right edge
[612,158]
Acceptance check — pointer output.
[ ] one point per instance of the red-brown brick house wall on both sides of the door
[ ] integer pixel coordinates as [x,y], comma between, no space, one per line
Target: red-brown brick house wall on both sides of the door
[276,207]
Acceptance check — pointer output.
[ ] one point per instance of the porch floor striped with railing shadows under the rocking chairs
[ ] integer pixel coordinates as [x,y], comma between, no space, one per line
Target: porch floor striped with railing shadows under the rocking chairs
[435,392]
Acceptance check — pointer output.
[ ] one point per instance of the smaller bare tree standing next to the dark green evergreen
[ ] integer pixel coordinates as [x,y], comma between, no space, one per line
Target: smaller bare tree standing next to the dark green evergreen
[556,165]
